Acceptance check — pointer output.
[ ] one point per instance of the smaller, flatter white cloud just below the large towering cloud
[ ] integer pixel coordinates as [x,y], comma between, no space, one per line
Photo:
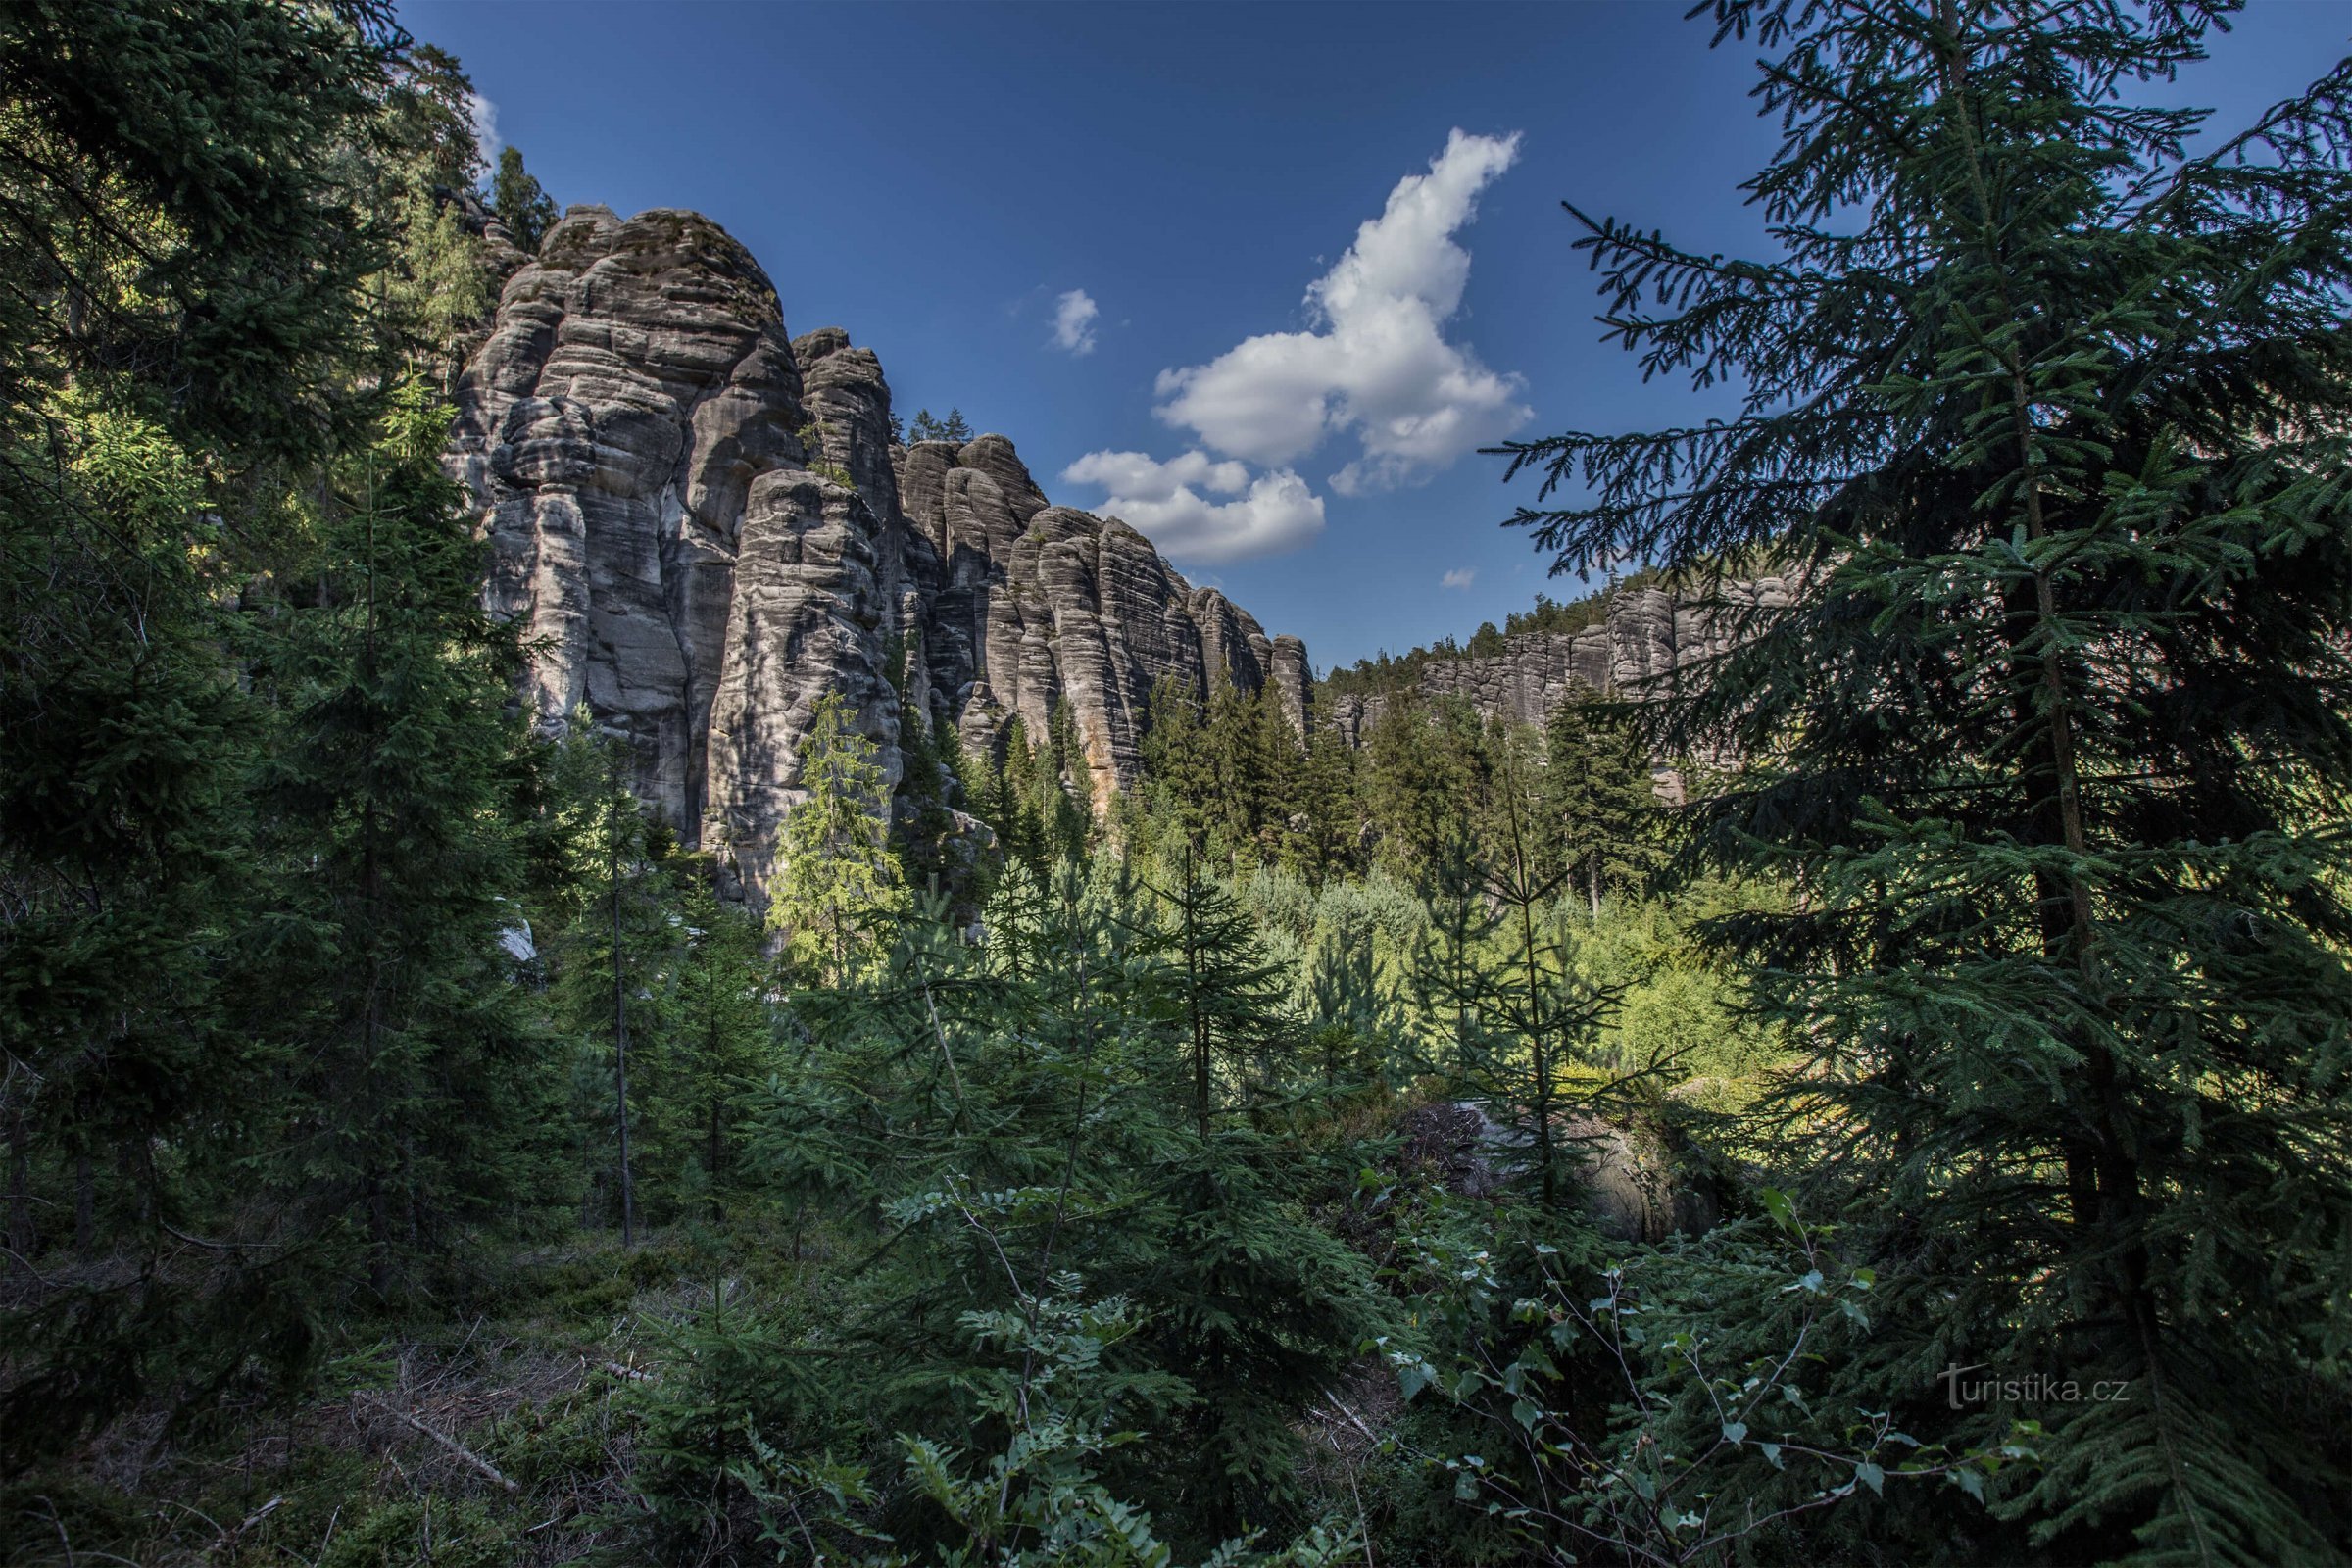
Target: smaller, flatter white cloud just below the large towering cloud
[1165,502]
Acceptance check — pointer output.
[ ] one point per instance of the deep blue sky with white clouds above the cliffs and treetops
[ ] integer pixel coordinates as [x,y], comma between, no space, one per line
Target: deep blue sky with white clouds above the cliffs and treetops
[1128,236]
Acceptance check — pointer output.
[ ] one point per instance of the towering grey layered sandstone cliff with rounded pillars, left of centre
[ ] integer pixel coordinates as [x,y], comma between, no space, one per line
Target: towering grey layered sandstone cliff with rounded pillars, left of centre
[704,528]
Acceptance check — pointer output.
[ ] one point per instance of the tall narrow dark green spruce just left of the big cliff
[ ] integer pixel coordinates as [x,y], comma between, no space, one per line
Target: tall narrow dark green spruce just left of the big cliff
[394,824]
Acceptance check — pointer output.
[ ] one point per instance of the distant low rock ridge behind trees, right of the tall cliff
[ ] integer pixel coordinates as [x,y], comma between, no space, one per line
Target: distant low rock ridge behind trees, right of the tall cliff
[1643,641]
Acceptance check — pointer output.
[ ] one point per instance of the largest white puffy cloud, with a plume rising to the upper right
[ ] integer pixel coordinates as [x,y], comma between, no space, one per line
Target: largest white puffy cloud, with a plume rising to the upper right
[1377,361]
